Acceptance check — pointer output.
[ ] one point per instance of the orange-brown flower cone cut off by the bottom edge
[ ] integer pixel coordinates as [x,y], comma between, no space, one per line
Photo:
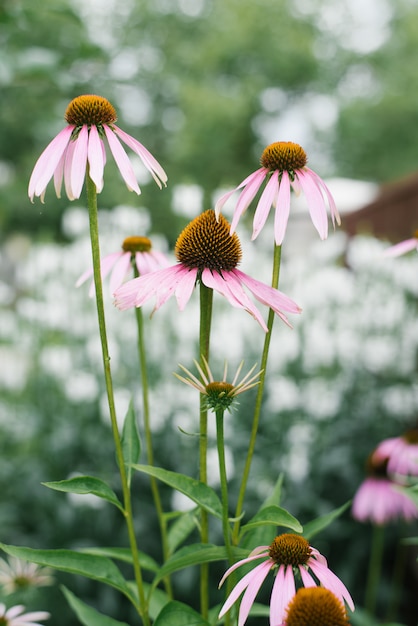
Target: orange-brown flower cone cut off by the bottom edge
[315,606]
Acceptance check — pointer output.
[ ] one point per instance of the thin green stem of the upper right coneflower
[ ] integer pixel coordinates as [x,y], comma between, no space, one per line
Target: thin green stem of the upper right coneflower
[259,398]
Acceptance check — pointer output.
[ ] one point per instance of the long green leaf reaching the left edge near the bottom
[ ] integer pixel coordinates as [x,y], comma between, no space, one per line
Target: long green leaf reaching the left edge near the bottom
[97,568]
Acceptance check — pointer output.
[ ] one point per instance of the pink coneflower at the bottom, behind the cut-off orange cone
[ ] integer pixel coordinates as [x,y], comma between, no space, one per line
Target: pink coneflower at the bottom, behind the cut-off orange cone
[289,553]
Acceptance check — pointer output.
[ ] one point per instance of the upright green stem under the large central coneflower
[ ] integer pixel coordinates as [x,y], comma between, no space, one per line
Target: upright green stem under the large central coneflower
[206,300]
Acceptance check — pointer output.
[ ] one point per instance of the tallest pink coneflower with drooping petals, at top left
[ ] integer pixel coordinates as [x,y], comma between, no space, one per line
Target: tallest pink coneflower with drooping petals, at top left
[91,119]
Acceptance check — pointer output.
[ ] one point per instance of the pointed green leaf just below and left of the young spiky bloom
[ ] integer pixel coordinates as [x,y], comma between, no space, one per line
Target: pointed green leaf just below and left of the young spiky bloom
[202,494]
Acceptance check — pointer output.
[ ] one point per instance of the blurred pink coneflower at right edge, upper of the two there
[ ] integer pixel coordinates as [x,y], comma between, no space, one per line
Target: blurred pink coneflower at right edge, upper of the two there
[401,454]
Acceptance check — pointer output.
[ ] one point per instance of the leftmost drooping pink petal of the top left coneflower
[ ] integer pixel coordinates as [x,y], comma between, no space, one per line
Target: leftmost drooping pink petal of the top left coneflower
[46,164]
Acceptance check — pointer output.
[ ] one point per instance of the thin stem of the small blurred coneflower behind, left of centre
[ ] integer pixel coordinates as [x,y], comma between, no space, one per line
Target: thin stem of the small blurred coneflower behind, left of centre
[148,440]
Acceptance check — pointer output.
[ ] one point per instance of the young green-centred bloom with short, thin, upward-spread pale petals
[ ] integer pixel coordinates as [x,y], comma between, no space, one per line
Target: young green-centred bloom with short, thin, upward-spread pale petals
[219,394]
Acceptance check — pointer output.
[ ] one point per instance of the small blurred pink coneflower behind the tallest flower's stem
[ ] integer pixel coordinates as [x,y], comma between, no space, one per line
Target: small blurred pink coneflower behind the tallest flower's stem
[137,250]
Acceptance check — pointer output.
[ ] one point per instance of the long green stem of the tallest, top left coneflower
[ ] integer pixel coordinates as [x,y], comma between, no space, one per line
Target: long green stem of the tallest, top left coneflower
[95,248]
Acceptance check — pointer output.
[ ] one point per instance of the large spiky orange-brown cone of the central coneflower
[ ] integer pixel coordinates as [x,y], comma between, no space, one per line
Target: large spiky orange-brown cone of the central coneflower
[205,243]
